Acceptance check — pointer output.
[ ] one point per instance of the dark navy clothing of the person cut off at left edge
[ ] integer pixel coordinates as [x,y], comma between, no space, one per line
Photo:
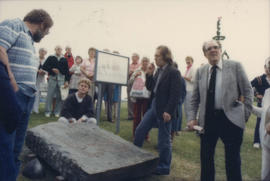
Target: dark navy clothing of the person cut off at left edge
[10,113]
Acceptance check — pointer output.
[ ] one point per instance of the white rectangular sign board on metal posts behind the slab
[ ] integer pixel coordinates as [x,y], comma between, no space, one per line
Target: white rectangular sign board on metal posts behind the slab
[111,68]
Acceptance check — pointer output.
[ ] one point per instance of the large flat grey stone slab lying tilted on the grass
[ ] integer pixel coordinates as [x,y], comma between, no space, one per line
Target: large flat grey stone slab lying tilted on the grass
[86,152]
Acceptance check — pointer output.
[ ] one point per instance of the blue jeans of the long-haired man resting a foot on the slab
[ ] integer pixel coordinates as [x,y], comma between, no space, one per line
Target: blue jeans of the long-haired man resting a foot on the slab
[150,119]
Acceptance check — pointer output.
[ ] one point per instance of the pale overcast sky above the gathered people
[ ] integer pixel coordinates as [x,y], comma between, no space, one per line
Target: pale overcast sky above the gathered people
[140,26]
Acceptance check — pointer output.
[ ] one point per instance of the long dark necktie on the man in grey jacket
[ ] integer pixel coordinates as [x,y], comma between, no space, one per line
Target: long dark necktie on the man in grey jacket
[211,90]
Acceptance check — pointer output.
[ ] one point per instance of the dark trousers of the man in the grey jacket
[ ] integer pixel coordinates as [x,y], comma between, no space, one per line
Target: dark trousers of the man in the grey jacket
[217,126]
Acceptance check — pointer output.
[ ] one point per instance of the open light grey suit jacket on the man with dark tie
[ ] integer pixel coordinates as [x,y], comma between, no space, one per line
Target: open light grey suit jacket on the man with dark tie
[234,84]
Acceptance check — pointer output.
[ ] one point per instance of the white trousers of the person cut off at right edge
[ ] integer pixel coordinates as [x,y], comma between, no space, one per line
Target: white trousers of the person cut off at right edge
[265,175]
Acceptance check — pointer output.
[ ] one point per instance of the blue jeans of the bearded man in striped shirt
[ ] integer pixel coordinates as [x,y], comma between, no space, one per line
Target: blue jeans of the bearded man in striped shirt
[26,104]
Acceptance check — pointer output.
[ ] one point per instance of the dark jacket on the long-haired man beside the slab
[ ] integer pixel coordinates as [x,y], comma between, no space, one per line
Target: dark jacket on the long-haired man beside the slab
[168,91]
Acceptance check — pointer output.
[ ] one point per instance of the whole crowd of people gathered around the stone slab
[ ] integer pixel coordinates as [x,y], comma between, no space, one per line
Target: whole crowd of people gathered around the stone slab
[217,97]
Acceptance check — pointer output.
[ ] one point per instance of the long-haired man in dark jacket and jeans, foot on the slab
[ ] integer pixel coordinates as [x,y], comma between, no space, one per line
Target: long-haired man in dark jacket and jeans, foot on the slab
[166,91]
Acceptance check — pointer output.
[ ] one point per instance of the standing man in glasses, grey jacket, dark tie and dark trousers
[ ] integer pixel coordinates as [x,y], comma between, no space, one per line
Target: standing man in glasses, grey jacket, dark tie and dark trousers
[223,95]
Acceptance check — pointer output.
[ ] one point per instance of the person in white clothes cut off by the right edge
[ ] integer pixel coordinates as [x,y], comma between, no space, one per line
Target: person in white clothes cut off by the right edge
[264,113]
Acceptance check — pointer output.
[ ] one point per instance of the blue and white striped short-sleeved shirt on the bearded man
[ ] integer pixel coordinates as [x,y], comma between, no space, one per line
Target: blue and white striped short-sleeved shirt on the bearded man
[16,38]
